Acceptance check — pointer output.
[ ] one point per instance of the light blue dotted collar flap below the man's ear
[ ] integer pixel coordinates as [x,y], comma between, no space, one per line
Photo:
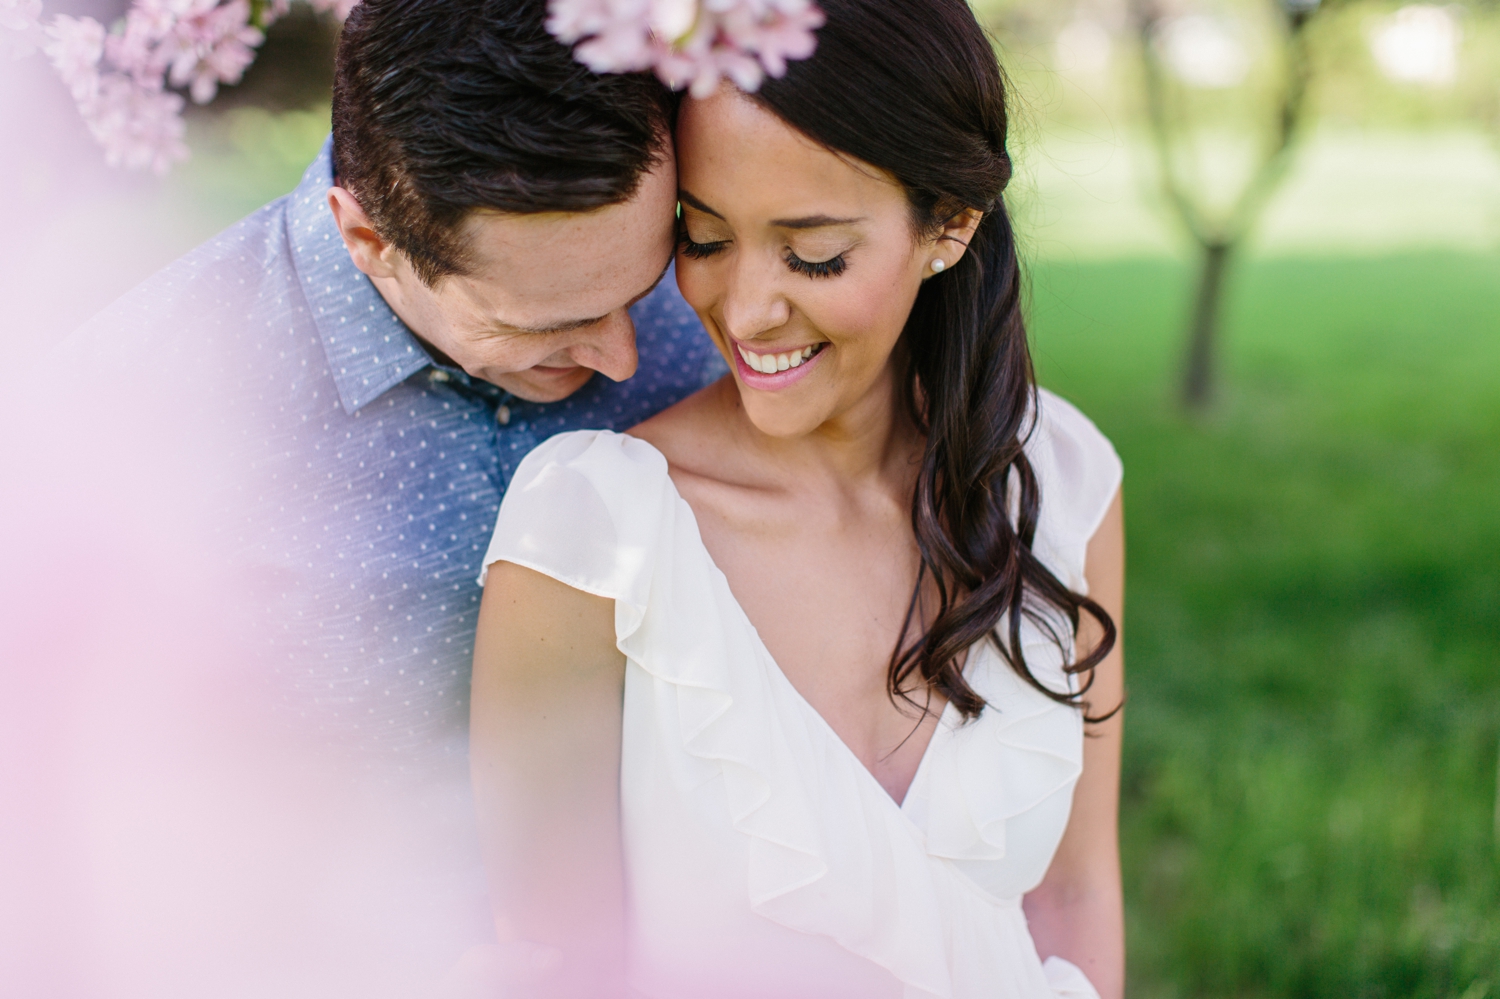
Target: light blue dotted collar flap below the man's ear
[368,347]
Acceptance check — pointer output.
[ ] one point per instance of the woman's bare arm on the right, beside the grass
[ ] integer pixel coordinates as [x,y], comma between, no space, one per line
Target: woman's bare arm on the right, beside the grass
[1078,913]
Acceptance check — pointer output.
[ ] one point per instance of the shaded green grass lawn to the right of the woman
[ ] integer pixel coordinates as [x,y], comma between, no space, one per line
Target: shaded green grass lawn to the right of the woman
[1313,622]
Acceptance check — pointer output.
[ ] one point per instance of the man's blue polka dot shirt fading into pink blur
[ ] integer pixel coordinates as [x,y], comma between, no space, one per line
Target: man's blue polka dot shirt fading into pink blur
[370,476]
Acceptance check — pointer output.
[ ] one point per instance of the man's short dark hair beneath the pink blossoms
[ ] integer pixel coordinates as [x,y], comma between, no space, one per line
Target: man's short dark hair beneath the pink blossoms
[448,107]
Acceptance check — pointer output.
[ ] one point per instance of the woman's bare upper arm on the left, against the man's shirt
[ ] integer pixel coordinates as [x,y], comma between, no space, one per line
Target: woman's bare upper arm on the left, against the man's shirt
[545,761]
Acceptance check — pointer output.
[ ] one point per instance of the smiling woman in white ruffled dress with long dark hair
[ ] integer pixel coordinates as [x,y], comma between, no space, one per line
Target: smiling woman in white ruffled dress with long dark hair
[784,694]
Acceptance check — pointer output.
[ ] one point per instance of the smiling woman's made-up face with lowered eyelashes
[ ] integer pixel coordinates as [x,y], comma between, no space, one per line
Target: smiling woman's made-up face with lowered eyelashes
[802,263]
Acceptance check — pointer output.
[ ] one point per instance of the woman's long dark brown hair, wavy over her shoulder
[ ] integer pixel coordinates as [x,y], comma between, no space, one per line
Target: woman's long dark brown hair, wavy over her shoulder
[914,89]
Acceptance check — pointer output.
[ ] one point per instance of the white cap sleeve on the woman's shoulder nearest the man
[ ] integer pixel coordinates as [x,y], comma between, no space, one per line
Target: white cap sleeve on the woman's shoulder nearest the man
[584,508]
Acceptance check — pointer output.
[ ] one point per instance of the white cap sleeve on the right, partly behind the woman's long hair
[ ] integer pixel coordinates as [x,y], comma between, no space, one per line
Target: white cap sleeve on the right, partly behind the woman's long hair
[1079,475]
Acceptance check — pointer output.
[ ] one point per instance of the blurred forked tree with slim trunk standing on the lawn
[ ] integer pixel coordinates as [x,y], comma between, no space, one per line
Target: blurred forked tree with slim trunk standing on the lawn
[1219,233]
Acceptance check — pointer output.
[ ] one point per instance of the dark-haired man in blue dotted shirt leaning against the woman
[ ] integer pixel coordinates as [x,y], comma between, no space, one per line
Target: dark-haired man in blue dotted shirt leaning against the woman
[332,397]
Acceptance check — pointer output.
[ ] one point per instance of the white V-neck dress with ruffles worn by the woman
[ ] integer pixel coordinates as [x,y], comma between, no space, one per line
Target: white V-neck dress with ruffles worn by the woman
[763,859]
